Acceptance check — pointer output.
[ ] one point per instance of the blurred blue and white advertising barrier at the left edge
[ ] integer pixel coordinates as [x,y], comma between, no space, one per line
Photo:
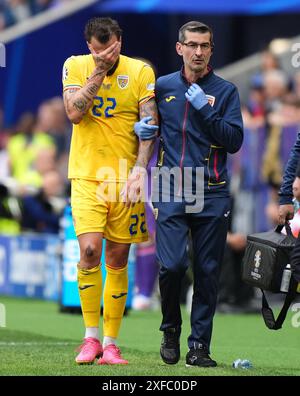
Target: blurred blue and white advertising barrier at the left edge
[29,266]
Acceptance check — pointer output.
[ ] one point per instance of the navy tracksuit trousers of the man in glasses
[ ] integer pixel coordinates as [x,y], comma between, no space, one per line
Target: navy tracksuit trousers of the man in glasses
[208,231]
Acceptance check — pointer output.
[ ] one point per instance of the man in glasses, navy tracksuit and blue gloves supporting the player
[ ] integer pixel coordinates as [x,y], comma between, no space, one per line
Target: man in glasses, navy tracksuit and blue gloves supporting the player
[200,122]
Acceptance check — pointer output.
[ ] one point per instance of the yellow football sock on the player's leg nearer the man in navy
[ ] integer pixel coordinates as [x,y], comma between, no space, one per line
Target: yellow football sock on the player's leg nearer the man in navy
[114,296]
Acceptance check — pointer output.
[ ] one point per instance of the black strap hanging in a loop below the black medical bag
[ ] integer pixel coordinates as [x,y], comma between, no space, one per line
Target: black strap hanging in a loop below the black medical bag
[267,313]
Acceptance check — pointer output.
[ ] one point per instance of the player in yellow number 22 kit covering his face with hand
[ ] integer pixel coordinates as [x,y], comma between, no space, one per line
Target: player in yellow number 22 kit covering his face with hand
[105,96]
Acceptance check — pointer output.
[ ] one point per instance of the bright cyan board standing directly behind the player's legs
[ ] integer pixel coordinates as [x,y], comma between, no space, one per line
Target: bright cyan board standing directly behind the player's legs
[69,290]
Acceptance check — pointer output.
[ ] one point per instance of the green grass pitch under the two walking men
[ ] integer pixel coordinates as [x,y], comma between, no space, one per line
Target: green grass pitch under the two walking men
[39,340]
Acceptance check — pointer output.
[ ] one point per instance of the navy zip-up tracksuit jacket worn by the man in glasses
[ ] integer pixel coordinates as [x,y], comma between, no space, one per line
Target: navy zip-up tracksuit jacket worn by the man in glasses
[199,138]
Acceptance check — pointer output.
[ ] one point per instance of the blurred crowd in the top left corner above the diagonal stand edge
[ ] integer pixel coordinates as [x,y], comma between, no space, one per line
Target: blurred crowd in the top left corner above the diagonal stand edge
[14,11]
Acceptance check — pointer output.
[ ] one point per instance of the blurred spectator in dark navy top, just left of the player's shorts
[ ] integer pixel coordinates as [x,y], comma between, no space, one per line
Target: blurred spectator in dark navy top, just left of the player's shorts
[41,212]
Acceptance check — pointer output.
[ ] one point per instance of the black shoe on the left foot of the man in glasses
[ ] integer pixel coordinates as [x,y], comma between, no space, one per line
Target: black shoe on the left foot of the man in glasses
[170,346]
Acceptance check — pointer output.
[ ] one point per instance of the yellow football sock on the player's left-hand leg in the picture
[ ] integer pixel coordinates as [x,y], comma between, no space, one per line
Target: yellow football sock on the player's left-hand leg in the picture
[90,285]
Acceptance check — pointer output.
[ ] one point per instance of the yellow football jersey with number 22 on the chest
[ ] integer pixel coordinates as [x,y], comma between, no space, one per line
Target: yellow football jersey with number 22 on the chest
[105,135]
